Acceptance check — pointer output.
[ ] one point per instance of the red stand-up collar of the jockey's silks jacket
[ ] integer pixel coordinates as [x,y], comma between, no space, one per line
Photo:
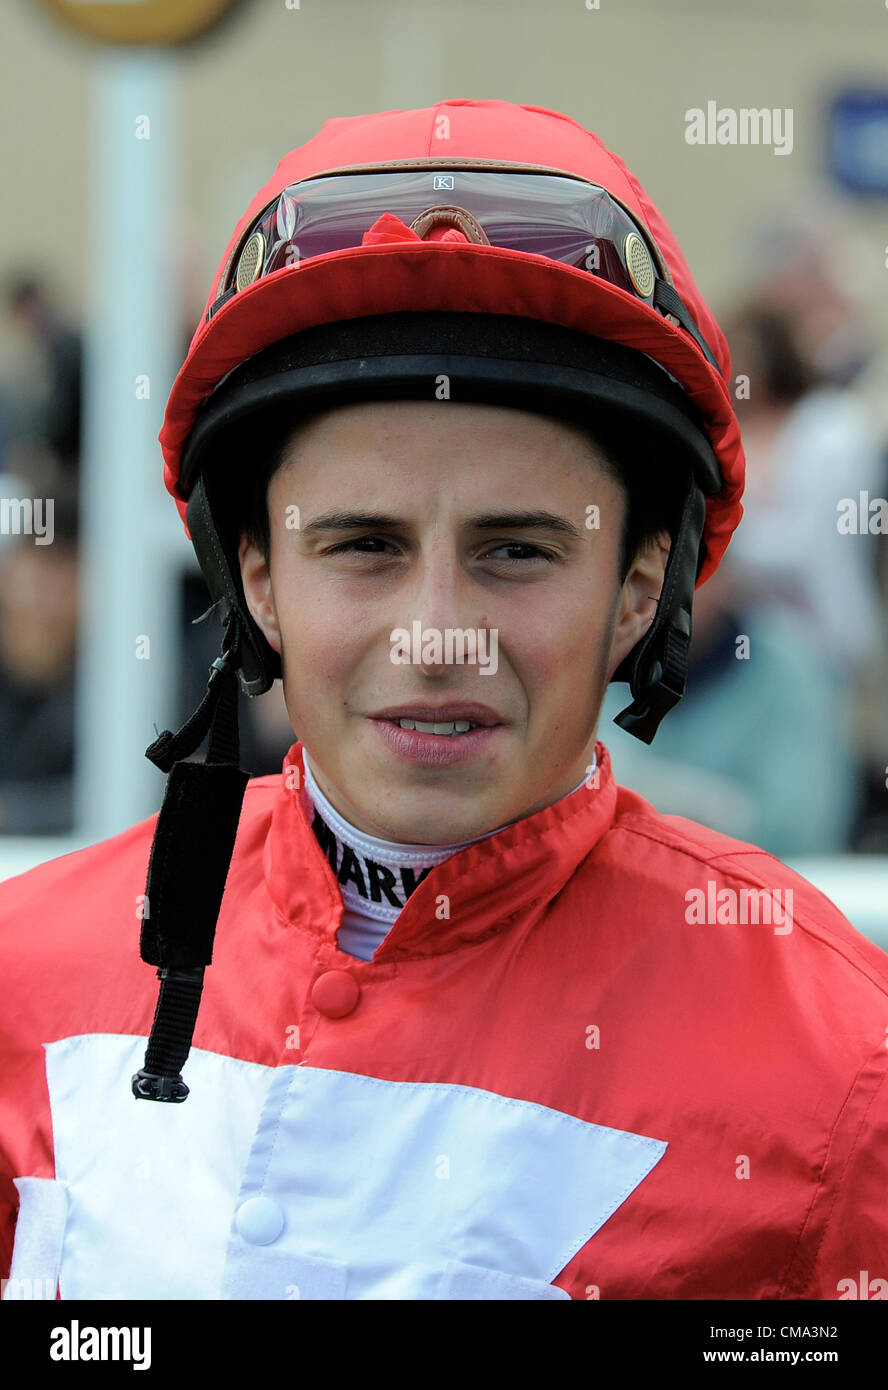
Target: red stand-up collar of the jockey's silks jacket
[487,883]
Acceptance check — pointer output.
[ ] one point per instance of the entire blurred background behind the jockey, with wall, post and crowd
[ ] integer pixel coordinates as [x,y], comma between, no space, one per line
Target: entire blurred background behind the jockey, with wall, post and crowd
[126,170]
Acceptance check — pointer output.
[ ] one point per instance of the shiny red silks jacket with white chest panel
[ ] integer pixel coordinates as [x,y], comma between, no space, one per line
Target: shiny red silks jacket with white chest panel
[601,1054]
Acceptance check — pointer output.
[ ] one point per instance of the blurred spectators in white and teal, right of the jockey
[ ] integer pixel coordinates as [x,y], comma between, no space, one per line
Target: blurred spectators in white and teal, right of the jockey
[783,735]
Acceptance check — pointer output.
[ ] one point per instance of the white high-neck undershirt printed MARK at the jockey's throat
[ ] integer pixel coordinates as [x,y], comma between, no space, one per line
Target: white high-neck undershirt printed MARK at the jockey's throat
[376,876]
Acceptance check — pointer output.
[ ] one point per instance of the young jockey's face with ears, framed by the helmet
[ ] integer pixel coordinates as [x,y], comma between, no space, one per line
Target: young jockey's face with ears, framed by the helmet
[555,629]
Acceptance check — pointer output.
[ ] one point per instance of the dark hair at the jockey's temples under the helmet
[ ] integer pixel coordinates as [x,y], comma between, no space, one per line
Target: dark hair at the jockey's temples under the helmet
[647,471]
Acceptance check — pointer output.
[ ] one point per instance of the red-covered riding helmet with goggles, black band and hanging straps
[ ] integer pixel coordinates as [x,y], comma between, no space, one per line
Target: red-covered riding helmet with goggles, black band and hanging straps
[502,247]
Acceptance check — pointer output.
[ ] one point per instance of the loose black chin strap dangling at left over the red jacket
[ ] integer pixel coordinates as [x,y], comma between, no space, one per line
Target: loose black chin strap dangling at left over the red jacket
[191,856]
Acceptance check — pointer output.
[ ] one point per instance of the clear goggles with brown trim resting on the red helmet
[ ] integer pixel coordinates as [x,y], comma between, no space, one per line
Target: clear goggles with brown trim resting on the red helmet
[559,216]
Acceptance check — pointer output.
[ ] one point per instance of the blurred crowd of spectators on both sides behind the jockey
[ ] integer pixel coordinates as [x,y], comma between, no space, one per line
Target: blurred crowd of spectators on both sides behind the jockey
[783,735]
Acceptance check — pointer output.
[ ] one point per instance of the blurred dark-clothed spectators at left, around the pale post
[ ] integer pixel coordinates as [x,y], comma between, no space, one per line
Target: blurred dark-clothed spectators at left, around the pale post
[41,402]
